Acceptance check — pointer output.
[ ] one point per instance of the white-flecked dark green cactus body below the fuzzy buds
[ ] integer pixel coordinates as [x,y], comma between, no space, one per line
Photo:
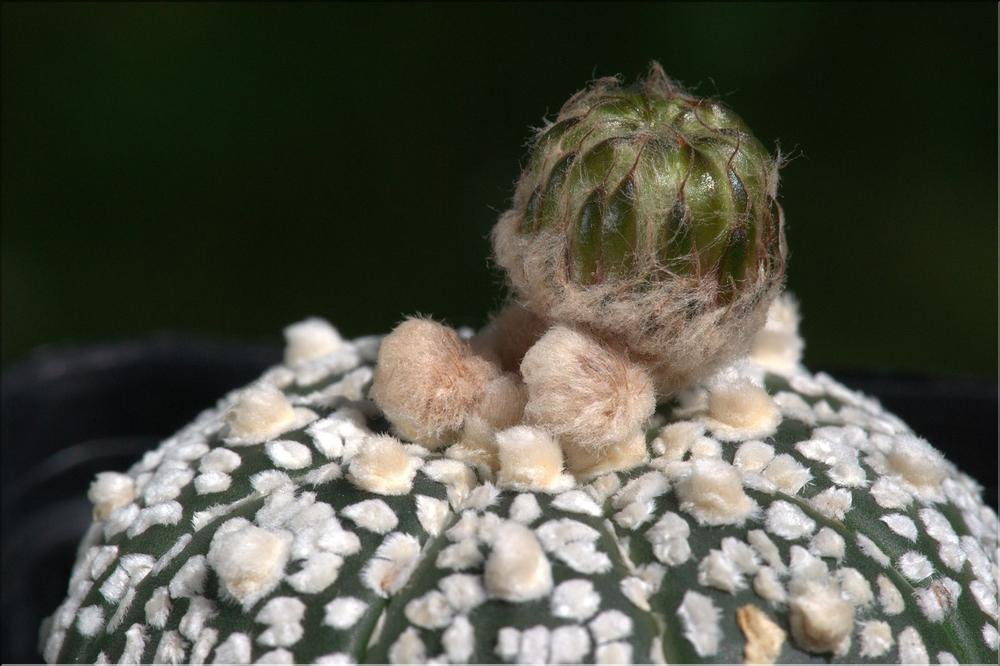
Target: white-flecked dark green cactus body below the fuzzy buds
[843,501]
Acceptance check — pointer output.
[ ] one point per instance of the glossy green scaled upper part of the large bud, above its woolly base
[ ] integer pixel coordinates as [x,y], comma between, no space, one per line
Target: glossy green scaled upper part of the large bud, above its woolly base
[631,174]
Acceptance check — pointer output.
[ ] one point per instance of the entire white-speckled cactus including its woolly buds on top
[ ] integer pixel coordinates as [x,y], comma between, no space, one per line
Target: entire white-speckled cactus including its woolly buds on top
[627,464]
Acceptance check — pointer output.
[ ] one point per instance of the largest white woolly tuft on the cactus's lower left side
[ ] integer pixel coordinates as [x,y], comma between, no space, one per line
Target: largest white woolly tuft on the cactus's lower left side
[249,560]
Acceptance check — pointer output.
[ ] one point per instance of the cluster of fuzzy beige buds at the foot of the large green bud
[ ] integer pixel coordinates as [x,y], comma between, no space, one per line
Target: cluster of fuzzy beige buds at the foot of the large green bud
[517,399]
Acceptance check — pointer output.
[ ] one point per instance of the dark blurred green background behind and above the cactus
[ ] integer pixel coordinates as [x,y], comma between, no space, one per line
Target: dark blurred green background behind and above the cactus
[227,169]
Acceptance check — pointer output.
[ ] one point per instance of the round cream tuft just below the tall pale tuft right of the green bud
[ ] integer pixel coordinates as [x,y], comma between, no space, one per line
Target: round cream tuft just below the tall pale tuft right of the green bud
[740,412]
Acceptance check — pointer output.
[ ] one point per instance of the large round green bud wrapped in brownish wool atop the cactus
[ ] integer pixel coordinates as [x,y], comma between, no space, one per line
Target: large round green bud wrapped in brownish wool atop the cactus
[649,217]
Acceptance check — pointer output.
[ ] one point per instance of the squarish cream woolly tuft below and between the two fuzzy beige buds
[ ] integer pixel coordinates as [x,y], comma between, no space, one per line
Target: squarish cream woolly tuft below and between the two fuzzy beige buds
[530,459]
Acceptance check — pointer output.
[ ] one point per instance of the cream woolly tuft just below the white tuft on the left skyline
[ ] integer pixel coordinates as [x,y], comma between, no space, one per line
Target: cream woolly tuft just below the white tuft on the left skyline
[262,412]
